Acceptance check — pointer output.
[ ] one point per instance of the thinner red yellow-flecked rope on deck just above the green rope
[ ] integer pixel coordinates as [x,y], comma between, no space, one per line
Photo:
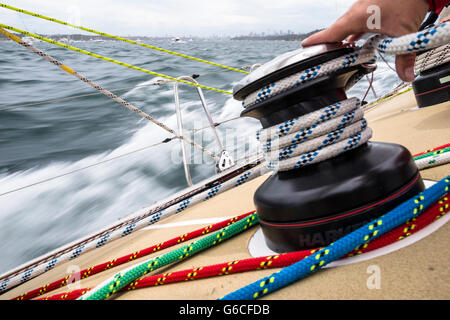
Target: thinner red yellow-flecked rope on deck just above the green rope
[83,274]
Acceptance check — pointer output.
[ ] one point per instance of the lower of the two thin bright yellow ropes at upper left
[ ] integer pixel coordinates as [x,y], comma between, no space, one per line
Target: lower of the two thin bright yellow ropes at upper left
[108,59]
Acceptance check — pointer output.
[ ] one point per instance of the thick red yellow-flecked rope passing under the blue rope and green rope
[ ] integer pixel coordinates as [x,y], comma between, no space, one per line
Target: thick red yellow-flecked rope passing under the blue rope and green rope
[276,261]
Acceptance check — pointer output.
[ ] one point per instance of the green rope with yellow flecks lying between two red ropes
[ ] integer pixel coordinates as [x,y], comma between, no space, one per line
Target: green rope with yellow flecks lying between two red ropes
[123,278]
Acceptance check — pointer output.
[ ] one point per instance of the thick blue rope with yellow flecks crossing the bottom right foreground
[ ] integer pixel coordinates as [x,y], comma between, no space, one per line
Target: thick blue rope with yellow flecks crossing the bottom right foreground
[402,213]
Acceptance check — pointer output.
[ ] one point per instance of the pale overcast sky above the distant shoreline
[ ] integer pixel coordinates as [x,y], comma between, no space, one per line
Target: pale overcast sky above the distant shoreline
[202,18]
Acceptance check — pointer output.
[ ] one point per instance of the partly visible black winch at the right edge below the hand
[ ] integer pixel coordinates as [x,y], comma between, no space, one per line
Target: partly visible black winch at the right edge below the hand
[433,86]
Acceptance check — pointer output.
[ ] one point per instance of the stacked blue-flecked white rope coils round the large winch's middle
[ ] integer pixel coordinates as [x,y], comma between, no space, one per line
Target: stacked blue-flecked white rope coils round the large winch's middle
[332,133]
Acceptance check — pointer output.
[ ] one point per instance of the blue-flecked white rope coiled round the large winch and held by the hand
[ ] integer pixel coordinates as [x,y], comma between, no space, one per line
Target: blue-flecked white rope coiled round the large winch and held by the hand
[337,128]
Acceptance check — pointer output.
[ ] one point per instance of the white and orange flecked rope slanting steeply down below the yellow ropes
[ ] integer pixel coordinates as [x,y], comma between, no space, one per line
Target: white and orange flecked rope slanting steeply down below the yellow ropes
[104,91]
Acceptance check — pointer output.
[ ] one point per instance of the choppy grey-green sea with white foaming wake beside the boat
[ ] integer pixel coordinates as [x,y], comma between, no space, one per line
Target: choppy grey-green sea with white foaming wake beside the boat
[57,182]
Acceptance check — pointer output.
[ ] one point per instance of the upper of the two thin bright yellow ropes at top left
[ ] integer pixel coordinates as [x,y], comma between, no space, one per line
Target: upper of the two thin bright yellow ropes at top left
[117,38]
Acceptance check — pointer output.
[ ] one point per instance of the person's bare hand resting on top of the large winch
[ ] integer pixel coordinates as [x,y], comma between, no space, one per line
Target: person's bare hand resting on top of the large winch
[397,18]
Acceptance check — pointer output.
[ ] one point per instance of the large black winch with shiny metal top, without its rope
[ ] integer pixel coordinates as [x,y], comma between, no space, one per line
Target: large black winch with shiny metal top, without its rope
[315,205]
